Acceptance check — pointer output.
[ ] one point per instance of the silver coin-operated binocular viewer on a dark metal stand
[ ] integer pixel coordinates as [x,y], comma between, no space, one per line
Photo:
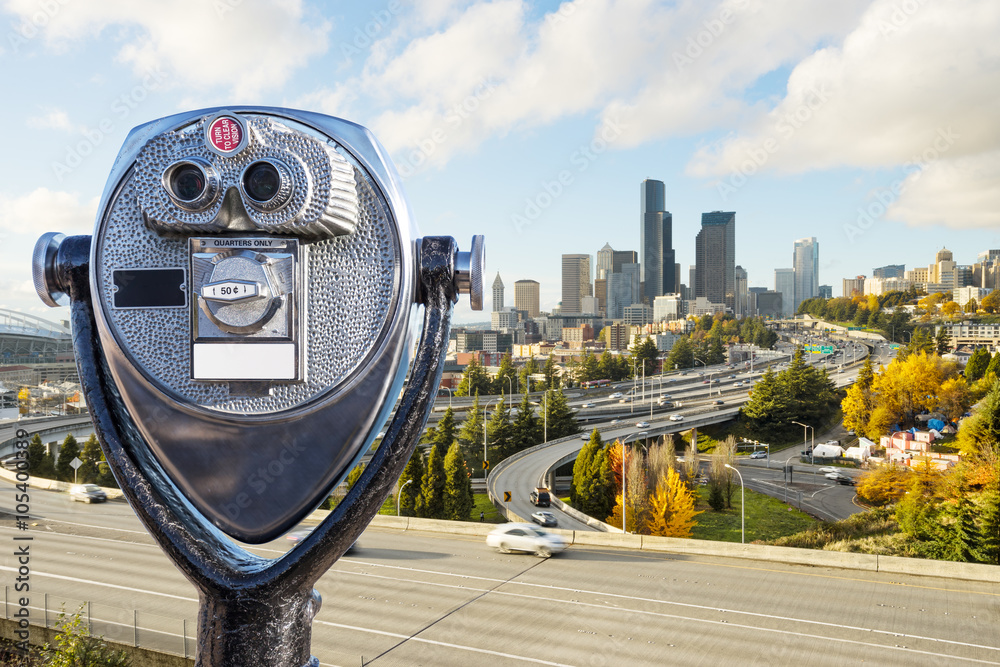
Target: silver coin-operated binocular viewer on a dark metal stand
[244,318]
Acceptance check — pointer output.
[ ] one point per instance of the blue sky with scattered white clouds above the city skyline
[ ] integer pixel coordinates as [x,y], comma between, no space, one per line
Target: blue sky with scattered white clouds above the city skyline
[870,125]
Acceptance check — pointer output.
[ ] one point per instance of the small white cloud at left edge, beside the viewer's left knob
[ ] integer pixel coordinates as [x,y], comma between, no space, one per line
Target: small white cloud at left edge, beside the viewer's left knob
[44,210]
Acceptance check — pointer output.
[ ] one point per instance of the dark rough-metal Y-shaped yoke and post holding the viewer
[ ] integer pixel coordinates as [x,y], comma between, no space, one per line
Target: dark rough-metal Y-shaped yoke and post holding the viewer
[254,611]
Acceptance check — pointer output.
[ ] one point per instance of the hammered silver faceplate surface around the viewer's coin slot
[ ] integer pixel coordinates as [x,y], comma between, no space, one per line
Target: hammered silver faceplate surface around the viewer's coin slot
[344,272]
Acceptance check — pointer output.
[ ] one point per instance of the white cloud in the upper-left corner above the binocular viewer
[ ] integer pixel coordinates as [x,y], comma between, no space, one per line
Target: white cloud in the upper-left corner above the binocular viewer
[243,46]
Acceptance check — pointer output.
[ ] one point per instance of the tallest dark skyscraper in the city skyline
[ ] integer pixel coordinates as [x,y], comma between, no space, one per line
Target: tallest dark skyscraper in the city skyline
[656,241]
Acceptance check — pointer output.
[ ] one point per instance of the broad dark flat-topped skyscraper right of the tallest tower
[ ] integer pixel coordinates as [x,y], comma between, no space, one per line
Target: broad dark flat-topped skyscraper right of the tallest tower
[715,258]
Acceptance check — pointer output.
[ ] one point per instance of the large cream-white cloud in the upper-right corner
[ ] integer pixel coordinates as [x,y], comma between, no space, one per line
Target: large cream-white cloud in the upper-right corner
[908,75]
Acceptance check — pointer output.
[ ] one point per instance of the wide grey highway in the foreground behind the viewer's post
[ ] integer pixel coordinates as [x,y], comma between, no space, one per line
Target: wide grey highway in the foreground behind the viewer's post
[414,598]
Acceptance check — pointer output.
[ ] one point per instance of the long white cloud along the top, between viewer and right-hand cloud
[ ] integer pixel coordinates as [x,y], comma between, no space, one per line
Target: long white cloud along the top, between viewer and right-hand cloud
[615,57]
